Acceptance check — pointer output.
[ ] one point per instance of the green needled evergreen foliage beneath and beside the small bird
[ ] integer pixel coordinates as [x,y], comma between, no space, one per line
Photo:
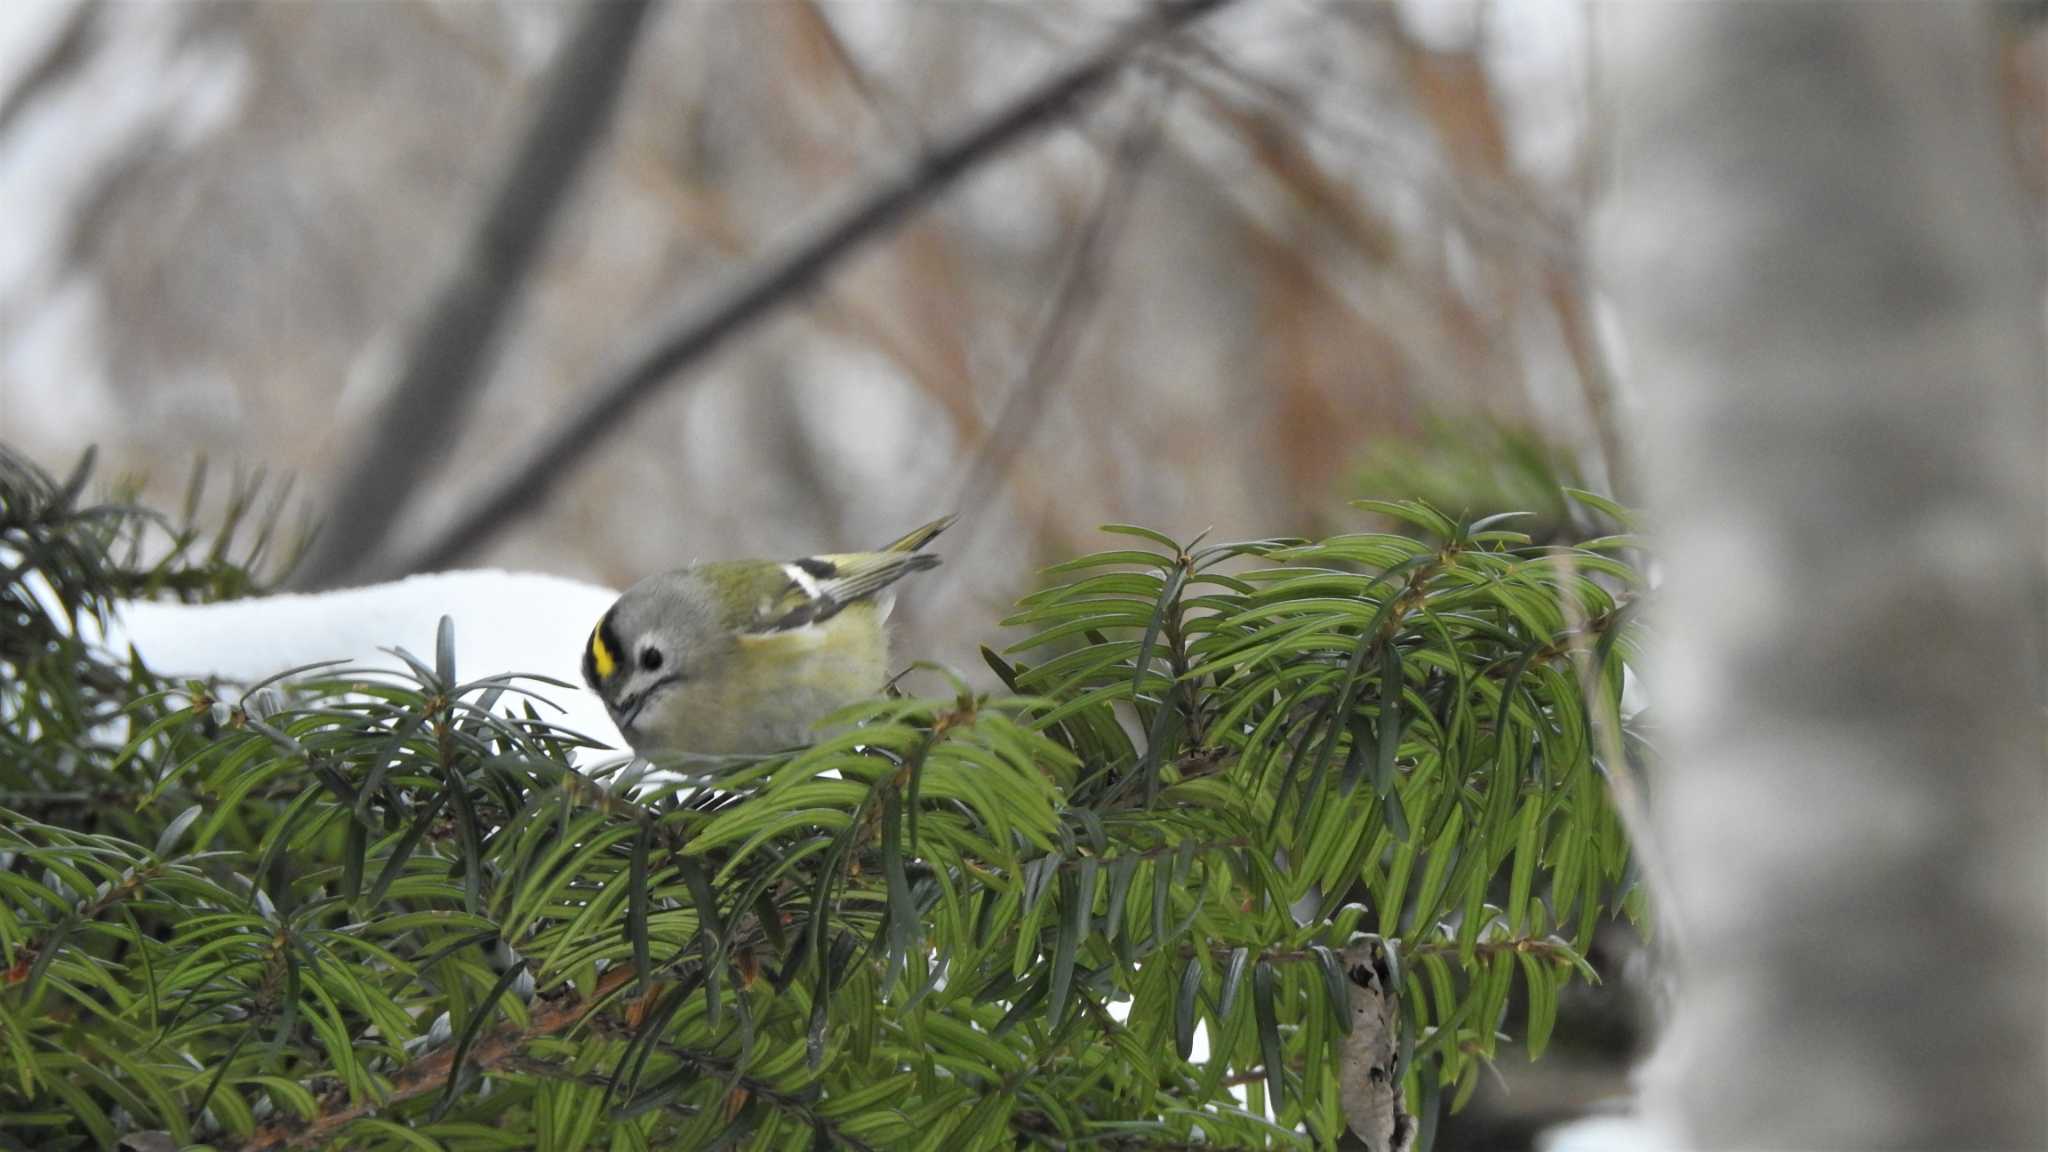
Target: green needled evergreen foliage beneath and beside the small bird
[374,911]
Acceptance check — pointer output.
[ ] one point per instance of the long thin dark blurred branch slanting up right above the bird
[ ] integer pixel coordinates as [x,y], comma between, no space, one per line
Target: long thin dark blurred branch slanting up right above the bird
[783,278]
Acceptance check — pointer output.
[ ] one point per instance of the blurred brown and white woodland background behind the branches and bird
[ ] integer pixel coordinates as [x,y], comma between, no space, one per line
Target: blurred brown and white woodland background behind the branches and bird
[1289,255]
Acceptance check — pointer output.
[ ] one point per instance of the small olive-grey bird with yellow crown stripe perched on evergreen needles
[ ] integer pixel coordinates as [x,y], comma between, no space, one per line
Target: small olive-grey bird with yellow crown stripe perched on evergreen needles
[749,655]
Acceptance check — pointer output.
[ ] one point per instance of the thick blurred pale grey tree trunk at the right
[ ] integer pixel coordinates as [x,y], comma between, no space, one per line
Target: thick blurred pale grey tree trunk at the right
[1832,294]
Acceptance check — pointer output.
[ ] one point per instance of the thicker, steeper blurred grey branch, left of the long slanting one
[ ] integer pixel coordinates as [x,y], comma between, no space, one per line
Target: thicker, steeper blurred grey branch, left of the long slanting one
[452,349]
